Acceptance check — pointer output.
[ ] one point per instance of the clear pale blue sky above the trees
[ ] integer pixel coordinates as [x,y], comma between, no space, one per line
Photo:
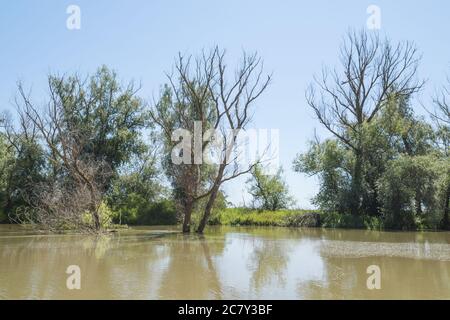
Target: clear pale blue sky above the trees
[139,39]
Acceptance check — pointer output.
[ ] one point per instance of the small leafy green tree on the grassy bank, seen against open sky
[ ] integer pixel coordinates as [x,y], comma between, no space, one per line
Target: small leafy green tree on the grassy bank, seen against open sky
[269,192]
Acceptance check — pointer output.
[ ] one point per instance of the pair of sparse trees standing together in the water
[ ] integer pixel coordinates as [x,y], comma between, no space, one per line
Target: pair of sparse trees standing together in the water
[201,92]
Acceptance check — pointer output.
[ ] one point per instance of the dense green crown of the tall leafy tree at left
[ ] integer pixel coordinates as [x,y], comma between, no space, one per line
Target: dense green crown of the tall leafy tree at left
[101,109]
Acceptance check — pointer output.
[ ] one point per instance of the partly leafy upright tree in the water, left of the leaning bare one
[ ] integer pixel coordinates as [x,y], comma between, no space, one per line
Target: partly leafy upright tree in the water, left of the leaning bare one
[183,102]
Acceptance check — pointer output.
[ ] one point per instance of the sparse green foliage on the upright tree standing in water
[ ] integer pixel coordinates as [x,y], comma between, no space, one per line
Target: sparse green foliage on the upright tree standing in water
[175,110]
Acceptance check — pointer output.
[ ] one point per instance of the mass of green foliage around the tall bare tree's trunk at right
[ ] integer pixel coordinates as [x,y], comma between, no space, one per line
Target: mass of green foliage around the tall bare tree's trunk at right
[402,180]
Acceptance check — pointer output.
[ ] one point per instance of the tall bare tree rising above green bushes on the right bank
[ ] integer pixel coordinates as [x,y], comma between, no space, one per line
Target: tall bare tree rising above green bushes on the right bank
[344,100]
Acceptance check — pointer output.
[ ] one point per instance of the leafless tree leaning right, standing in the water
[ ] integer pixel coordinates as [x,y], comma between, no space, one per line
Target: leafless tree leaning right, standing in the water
[233,102]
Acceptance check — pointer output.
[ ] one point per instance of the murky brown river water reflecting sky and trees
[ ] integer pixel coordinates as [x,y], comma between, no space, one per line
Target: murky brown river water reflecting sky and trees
[226,263]
